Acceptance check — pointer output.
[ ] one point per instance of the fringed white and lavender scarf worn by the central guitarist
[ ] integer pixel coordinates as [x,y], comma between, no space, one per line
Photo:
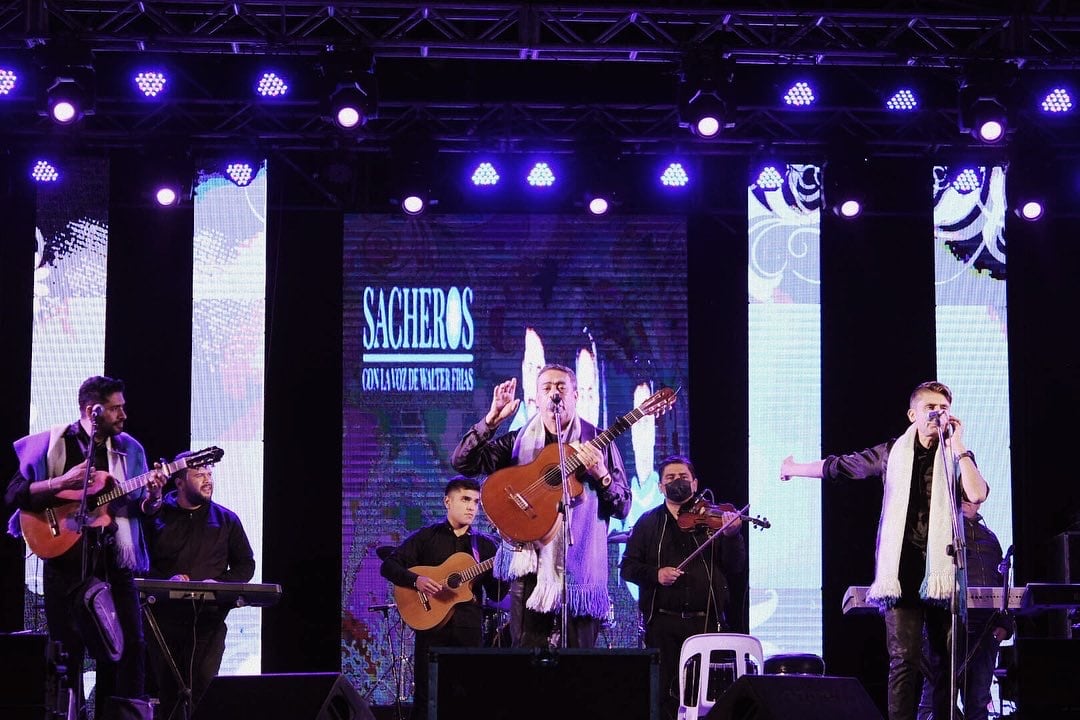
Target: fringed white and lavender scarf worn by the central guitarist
[587,559]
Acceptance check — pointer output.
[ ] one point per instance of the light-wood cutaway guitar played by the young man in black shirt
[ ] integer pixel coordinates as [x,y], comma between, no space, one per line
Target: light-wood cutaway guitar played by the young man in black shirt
[423,612]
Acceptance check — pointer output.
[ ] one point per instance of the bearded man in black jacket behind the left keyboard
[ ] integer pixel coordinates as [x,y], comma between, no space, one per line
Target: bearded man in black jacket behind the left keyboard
[194,538]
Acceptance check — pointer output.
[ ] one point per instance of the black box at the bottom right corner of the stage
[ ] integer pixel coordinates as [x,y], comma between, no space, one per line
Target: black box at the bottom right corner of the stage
[1047,672]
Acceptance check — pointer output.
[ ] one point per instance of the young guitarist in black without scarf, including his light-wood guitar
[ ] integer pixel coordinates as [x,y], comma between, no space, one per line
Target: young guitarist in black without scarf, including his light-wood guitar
[444,594]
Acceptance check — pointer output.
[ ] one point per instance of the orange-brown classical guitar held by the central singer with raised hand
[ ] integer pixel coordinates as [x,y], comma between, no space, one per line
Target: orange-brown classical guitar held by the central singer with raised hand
[522,501]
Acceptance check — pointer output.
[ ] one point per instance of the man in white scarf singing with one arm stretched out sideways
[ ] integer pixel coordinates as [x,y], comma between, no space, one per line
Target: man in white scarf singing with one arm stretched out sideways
[914,575]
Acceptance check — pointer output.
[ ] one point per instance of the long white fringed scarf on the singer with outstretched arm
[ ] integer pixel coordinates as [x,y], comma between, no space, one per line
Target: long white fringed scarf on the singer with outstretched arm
[939,580]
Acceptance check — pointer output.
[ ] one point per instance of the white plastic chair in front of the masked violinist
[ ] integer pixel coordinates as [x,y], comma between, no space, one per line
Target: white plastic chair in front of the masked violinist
[724,657]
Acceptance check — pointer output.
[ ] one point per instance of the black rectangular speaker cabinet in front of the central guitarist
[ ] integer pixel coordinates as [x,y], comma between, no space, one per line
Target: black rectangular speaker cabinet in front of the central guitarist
[521,684]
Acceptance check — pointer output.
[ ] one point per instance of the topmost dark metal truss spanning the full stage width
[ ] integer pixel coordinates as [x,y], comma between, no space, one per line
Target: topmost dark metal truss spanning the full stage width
[888,34]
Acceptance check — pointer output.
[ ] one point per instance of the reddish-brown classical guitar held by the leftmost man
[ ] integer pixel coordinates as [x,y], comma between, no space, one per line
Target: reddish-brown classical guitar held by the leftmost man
[51,533]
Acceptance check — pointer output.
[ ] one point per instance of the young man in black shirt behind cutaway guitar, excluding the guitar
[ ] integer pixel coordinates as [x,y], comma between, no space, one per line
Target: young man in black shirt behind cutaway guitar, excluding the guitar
[431,547]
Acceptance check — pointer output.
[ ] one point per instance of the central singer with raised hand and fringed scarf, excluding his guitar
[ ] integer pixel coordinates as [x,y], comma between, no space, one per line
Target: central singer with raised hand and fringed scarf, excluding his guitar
[537,589]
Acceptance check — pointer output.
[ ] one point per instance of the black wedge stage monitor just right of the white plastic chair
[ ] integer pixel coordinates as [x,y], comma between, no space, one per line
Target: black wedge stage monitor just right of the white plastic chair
[787,697]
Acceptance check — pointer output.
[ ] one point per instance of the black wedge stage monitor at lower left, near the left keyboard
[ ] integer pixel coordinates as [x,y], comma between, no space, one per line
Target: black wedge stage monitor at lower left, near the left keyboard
[295,697]
